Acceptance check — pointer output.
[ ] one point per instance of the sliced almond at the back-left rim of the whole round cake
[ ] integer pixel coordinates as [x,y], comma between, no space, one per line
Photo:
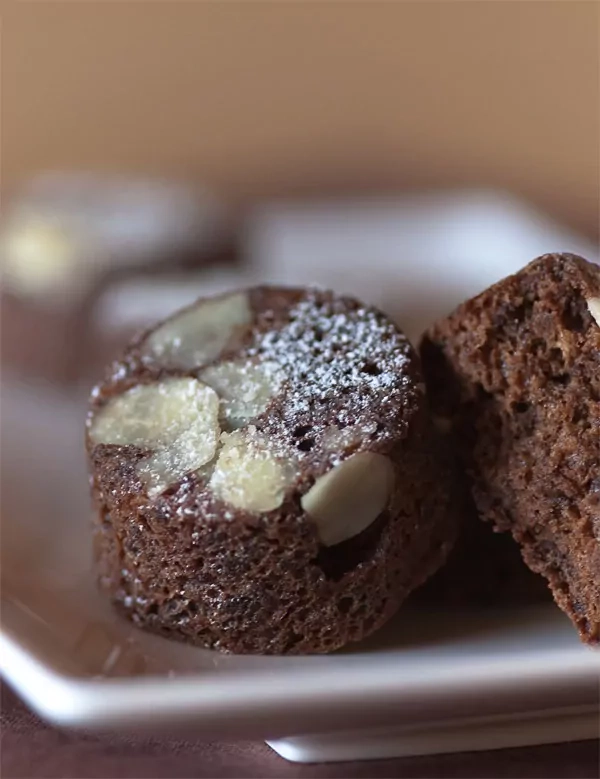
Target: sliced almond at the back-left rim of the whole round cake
[199,334]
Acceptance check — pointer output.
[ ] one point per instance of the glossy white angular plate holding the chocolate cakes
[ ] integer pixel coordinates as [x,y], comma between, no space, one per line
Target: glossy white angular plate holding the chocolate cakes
[428,682]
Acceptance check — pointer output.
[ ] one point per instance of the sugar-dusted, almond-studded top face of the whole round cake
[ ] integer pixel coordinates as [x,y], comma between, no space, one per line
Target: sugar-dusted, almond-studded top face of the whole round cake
[300,378]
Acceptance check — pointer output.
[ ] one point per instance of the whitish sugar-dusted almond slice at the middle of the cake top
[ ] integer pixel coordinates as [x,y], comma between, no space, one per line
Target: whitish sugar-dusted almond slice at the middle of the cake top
[245,389]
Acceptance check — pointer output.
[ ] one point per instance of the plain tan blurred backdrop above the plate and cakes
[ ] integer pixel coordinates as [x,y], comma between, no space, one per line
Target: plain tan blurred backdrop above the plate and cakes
[264,98]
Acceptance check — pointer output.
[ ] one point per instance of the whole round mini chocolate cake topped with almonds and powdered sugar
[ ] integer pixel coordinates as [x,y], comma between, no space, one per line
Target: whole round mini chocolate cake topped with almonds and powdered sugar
[264,476]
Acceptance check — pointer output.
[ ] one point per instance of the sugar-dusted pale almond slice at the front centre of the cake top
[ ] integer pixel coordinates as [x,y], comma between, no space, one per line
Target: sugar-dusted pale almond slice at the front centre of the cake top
[247,474]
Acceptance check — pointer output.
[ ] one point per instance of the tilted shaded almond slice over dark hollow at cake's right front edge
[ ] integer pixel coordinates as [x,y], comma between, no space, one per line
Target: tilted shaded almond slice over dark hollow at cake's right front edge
[349,497]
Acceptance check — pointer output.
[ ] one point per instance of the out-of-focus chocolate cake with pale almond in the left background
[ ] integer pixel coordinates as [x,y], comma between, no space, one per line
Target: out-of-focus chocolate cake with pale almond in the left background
[67,239]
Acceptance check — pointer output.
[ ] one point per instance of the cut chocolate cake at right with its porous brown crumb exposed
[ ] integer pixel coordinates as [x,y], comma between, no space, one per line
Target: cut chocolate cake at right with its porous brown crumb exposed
[515,372]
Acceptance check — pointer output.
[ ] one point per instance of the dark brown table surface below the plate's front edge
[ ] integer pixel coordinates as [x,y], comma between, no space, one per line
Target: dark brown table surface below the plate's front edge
[33,750]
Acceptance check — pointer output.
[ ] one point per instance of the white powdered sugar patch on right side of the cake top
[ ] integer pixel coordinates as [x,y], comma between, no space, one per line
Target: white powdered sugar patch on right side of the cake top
[353,362]
